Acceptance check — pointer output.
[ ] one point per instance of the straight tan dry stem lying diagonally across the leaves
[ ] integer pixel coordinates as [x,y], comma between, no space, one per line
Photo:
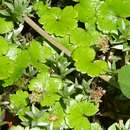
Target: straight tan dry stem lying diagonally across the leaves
[43,33]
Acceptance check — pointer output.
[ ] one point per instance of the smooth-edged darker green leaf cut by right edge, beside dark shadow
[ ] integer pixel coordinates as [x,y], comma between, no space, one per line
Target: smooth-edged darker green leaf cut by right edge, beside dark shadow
[123,80]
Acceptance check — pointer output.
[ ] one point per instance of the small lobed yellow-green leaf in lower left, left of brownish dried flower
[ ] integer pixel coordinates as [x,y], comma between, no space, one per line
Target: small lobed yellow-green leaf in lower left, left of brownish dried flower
[18,100]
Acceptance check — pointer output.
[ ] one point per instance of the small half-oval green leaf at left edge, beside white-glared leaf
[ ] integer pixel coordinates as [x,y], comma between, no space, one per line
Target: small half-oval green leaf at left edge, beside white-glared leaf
[3,46]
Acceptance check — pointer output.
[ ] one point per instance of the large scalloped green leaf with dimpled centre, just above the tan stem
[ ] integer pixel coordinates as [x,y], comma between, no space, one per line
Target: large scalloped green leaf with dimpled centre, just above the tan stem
[59,22]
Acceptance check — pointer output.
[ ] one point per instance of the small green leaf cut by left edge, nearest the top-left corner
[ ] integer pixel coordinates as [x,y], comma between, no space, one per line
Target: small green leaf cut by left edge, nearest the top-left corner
[5,26]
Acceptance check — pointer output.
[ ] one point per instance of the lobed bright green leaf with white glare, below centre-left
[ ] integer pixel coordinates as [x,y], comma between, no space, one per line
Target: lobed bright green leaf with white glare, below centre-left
[48,86]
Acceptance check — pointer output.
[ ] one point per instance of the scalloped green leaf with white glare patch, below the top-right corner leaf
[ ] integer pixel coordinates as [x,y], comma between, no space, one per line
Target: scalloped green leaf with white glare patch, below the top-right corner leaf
[106,19]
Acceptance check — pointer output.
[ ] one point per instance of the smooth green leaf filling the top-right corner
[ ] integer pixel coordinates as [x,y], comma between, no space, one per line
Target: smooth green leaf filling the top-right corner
[120,7]
